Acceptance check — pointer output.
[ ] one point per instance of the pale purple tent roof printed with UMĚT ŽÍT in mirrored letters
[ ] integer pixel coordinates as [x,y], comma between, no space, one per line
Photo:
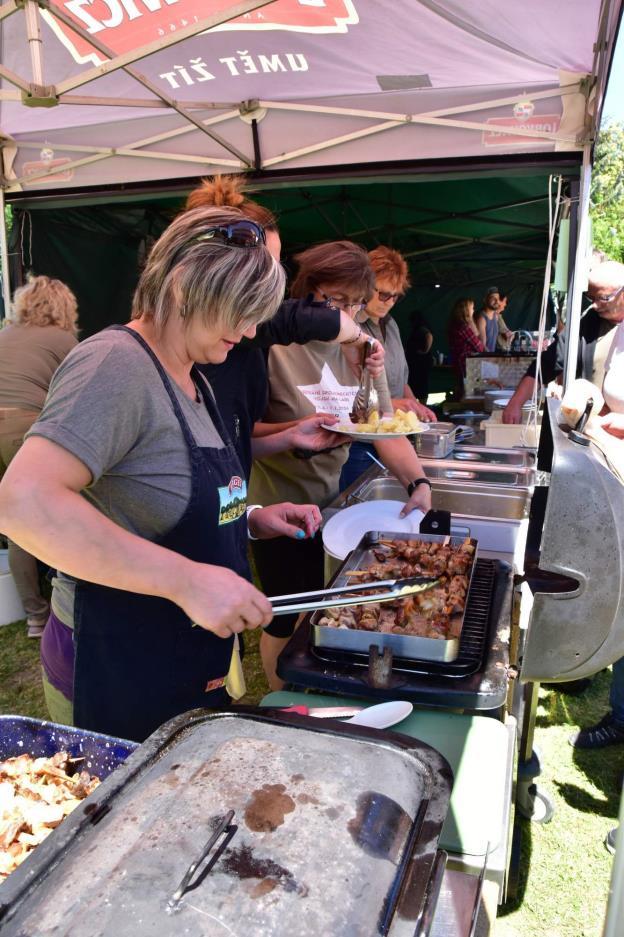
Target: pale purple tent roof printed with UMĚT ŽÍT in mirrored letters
[109,92]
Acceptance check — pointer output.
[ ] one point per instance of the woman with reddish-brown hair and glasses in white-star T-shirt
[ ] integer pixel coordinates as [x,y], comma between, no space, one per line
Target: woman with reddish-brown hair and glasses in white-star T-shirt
[340,275]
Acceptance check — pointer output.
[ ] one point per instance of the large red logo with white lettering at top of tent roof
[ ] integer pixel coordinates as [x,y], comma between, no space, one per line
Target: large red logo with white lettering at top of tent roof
[124,25]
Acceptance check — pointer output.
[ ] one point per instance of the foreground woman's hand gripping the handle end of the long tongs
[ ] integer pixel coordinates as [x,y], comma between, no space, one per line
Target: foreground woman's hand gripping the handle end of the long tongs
[217,599]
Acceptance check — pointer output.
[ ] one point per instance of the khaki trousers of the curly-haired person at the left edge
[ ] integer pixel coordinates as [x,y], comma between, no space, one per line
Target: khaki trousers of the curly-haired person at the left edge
[14,423]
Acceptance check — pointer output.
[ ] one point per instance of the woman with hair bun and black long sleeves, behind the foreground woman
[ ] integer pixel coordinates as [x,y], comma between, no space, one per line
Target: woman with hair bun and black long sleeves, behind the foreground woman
[240,382]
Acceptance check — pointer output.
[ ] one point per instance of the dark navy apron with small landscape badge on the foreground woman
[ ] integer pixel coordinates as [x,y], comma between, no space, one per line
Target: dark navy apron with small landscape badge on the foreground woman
[139,659]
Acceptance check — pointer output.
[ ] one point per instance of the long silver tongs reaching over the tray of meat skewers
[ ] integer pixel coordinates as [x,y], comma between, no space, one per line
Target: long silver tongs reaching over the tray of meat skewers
[344,596]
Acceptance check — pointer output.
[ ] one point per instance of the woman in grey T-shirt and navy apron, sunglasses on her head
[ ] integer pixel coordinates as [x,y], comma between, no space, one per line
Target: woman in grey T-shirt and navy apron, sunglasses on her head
[129,484]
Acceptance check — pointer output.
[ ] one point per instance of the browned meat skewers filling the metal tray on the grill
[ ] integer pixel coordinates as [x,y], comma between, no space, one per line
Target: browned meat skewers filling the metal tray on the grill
[434,613]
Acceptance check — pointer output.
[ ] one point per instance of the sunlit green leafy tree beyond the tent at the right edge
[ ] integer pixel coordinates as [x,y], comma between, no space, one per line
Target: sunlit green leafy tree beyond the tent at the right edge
[607,192]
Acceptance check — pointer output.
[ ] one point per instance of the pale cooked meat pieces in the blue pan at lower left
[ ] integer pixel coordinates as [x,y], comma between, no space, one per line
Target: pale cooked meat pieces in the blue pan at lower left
[36,794]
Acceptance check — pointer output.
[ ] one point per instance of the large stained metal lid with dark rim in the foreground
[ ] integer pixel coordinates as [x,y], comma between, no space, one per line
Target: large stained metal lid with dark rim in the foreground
[336,832]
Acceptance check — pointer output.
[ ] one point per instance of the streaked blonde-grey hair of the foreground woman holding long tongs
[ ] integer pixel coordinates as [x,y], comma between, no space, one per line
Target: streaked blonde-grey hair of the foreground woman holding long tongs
[237,287]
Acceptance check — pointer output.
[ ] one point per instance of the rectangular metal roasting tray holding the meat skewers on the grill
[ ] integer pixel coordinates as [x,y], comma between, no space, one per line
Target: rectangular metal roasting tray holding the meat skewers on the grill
[406,646]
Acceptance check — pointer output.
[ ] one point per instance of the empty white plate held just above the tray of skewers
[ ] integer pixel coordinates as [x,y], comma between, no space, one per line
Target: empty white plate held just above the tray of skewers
[344,530]
